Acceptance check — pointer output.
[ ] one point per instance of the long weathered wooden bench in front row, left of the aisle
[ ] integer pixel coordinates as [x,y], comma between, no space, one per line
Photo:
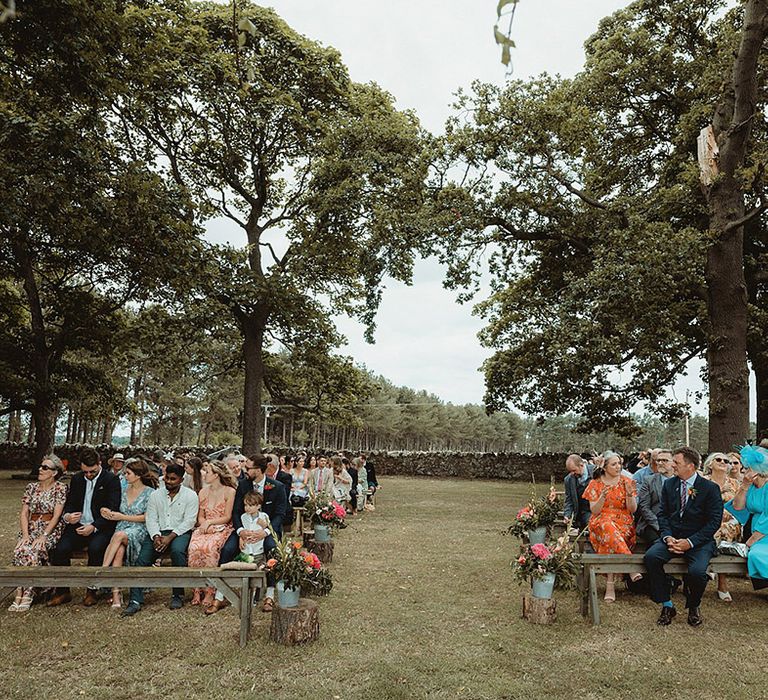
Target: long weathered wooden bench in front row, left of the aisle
[238,586]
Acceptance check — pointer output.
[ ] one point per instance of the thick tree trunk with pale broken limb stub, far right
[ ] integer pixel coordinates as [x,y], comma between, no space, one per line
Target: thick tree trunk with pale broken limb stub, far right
[726,288]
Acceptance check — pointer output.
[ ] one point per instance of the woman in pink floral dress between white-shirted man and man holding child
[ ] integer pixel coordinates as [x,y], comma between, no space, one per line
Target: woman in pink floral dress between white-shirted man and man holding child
[214,523]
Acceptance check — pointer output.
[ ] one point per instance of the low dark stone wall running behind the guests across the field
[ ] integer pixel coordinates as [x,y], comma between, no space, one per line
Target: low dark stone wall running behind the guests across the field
[462,465]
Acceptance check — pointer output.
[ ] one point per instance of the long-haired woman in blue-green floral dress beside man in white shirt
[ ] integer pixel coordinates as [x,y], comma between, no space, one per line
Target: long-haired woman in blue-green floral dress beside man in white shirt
[131,531]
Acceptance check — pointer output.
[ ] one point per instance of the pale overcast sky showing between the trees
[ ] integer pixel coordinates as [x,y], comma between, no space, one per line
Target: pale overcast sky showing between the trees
[422,51]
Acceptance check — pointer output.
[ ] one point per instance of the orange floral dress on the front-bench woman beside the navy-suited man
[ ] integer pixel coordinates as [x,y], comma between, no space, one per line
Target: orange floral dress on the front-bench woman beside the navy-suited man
[612,531]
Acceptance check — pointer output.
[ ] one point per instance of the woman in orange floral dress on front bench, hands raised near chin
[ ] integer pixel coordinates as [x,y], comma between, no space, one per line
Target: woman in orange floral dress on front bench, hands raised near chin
[613,500]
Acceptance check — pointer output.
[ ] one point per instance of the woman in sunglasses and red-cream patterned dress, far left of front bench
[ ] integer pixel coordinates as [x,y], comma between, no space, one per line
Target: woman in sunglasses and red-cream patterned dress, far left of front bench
[40,523]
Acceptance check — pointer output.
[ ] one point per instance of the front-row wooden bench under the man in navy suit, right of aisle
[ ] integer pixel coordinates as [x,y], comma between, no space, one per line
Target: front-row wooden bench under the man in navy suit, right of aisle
[594,564]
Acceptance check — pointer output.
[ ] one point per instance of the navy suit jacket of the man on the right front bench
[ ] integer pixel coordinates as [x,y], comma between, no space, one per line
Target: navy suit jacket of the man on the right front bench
[702,516]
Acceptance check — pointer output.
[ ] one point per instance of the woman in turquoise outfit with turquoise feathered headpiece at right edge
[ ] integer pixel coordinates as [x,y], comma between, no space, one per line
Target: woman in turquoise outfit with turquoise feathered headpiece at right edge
[753,496]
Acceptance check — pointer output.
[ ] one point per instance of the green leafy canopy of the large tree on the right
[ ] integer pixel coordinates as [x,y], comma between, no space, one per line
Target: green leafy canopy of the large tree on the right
[583,195]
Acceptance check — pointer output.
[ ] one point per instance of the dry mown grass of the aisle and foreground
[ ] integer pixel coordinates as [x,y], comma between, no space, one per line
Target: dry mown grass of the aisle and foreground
[424,606]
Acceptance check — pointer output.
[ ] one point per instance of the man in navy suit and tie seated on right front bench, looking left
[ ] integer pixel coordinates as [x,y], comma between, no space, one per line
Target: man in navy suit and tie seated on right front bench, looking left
[691,513]
